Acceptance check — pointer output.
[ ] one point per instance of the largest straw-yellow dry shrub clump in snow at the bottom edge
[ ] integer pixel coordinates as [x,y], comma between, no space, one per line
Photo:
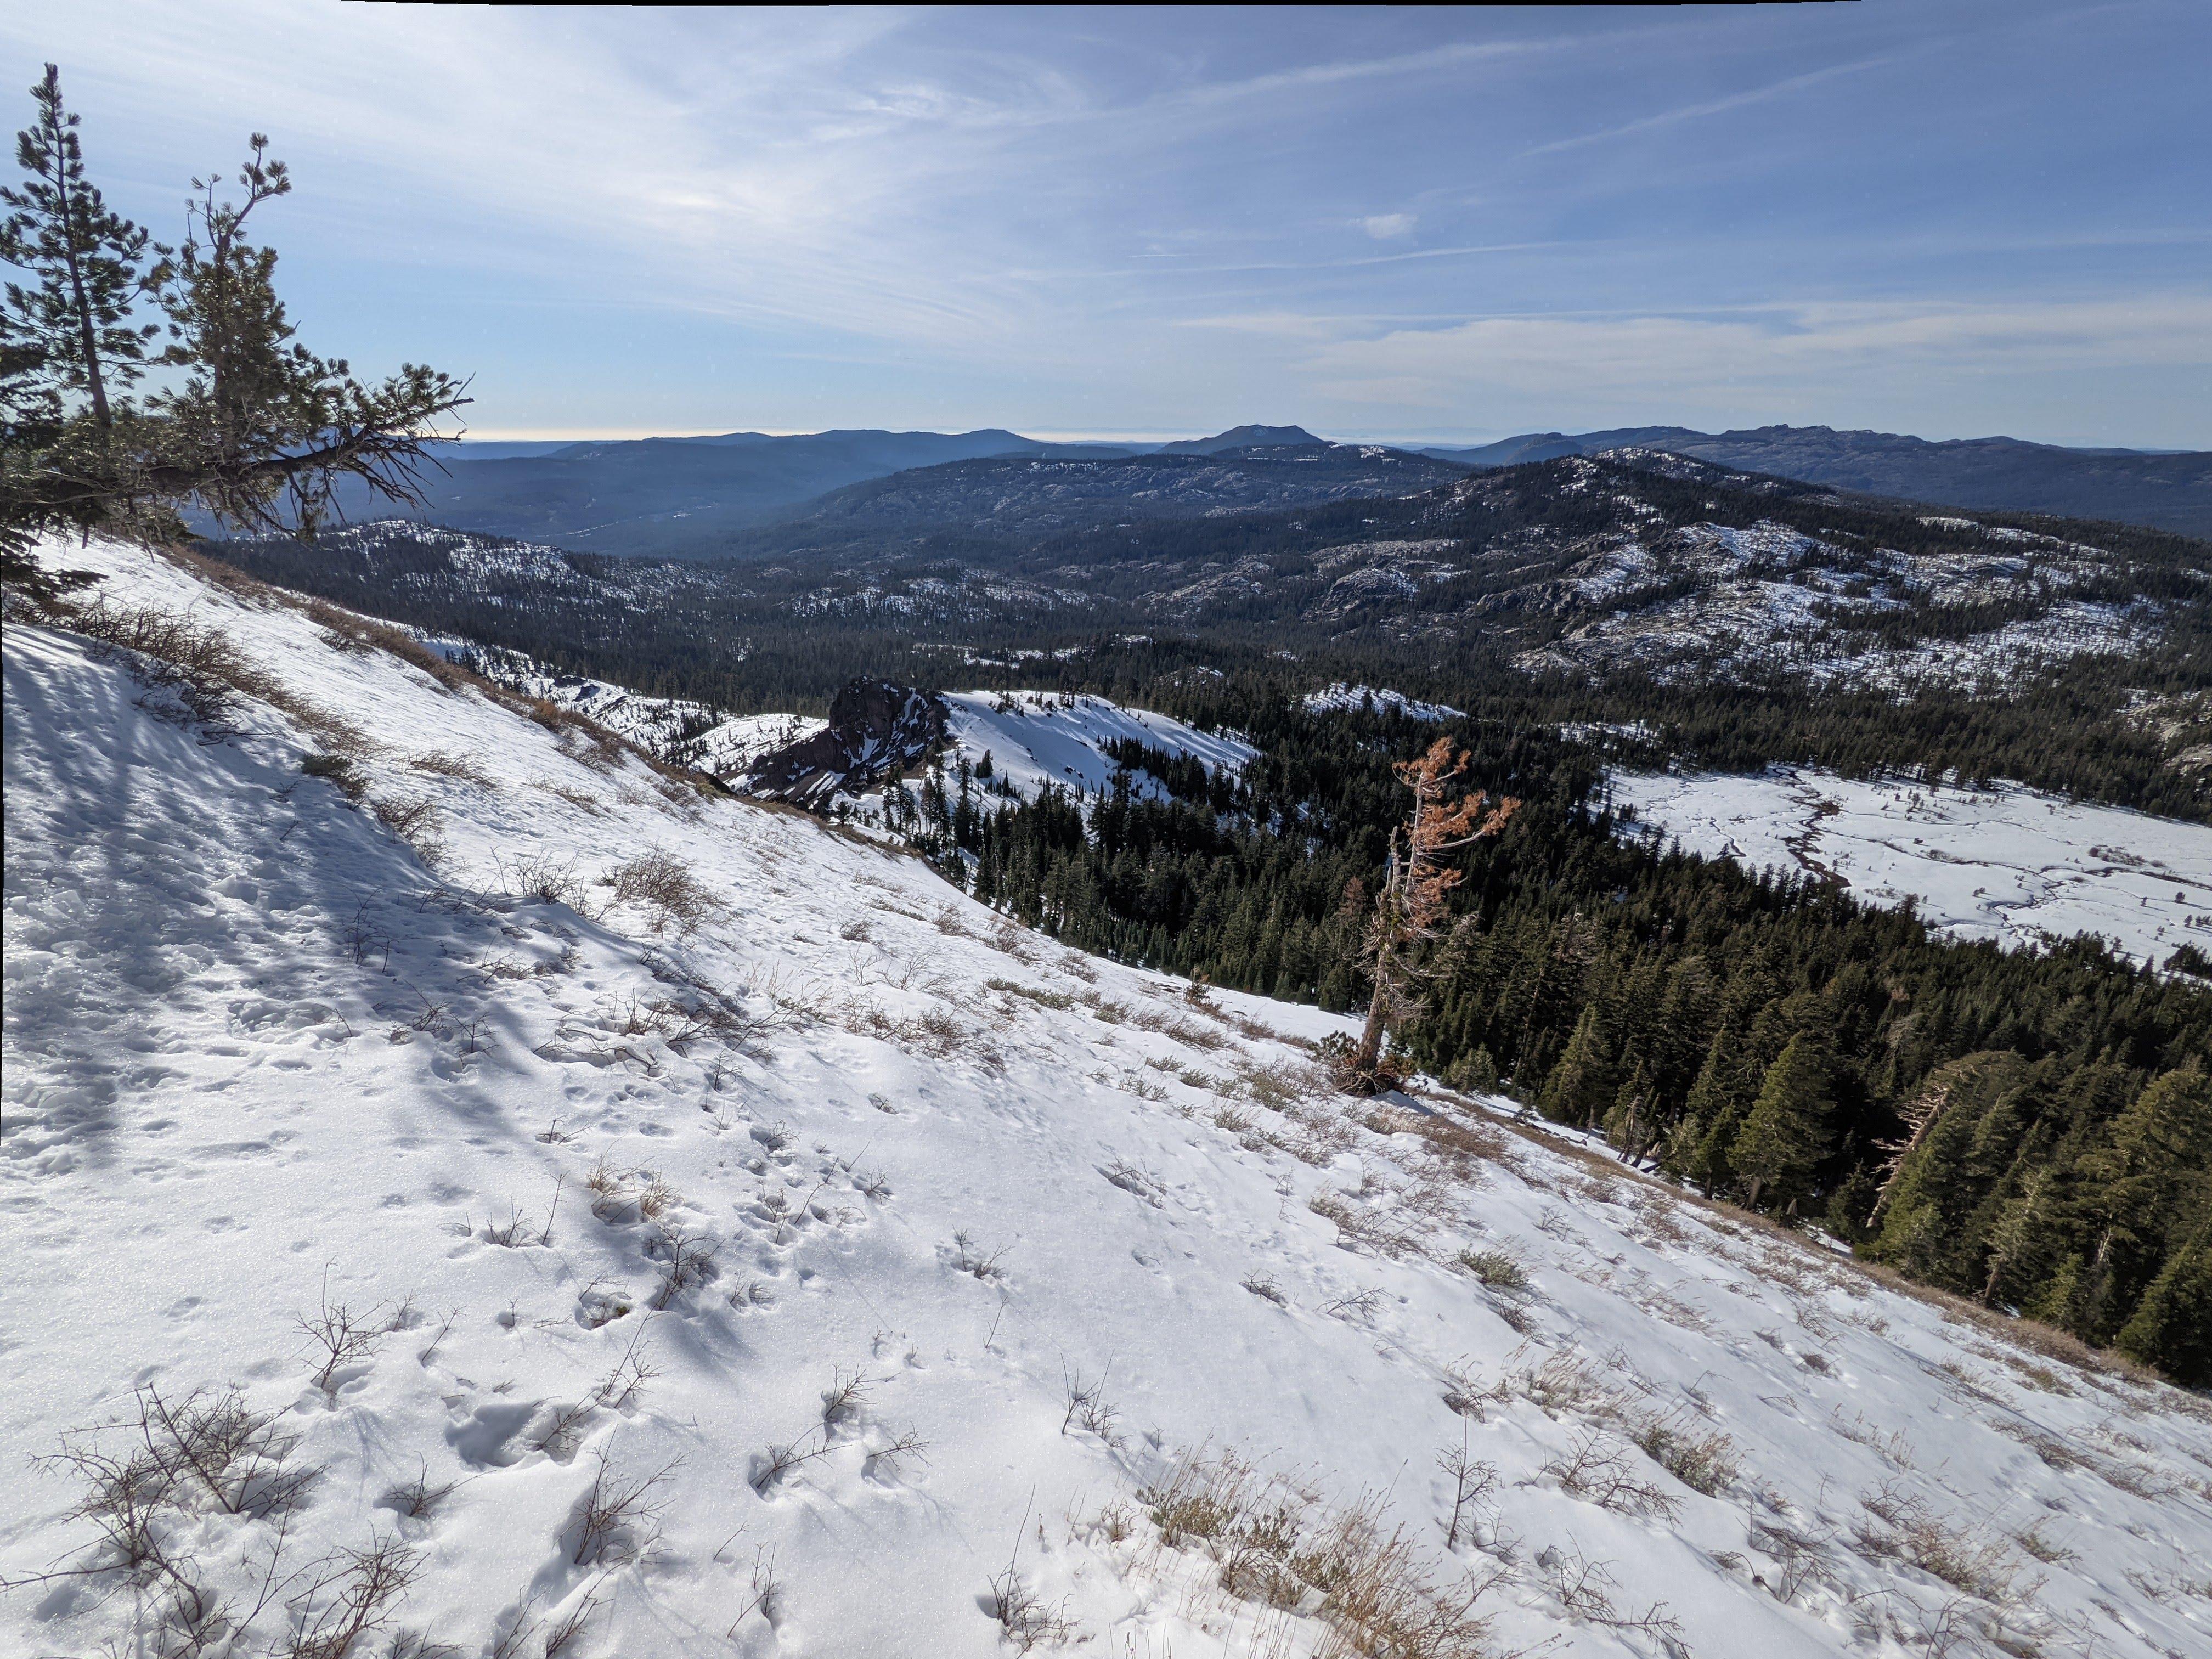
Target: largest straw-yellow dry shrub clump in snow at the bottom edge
[1280,1547]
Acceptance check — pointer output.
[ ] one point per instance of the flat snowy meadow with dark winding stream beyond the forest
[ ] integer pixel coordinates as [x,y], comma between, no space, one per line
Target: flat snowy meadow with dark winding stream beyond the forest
[2003,864]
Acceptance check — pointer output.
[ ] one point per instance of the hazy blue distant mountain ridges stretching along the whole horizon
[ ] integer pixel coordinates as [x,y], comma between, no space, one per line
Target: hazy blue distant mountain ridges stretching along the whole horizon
[720,494]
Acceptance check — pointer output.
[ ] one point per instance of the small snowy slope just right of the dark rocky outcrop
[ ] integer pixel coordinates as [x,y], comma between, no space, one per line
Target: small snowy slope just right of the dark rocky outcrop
[1054,738]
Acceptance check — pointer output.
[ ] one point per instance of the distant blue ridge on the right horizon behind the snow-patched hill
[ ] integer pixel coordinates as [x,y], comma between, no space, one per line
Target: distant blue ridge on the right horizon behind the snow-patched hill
[1996,474]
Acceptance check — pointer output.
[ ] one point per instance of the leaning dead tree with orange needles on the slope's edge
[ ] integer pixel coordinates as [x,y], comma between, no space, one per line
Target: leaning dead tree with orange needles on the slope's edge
[1415,888]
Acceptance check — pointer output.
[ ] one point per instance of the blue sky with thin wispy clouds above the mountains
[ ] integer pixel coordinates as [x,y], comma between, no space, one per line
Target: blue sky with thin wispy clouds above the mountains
[1952,220]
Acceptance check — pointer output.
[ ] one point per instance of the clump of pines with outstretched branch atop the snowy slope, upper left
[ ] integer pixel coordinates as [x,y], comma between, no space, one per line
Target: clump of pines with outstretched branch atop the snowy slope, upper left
[258,430]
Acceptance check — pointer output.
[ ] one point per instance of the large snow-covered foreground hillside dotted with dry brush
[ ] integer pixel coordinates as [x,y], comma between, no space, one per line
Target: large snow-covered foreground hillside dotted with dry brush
[1001,1246]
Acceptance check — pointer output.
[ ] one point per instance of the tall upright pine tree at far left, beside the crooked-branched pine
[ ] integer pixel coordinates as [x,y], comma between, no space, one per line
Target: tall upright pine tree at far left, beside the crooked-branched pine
[87,262]
